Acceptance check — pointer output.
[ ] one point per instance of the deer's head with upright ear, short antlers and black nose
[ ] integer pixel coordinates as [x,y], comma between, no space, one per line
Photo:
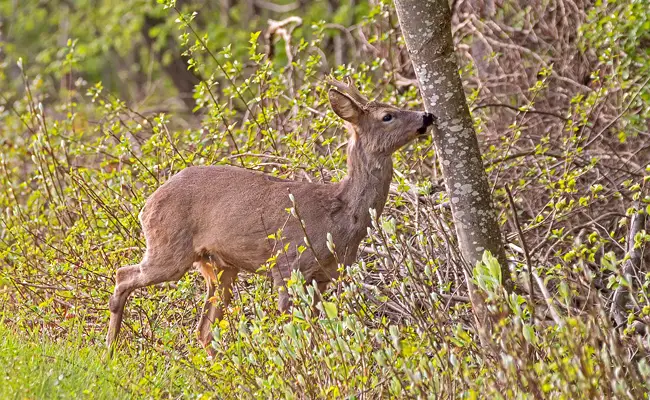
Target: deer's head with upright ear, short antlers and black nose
[380,129]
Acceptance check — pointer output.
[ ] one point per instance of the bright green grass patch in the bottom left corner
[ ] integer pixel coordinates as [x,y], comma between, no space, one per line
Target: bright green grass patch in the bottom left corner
[34,367]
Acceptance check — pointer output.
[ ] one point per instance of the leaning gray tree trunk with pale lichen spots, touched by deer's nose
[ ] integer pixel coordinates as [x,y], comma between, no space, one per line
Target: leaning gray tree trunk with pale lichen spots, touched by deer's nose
[426,26]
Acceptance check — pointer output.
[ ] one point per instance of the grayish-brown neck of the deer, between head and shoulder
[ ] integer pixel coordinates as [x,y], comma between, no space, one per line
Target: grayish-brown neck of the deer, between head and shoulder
[367,183]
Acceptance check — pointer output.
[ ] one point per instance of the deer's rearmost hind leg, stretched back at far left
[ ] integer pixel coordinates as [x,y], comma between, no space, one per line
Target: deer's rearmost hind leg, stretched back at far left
[156,267]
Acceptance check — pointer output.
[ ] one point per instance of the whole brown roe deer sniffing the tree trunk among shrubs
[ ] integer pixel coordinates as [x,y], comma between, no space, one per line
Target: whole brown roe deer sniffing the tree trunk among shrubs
[219,218]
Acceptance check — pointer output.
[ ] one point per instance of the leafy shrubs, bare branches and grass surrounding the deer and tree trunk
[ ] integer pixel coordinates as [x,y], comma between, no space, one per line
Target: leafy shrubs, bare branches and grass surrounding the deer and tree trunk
[102,101]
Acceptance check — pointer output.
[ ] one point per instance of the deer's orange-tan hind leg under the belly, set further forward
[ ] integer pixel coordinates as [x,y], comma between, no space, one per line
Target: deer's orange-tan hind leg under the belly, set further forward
[223,278]
